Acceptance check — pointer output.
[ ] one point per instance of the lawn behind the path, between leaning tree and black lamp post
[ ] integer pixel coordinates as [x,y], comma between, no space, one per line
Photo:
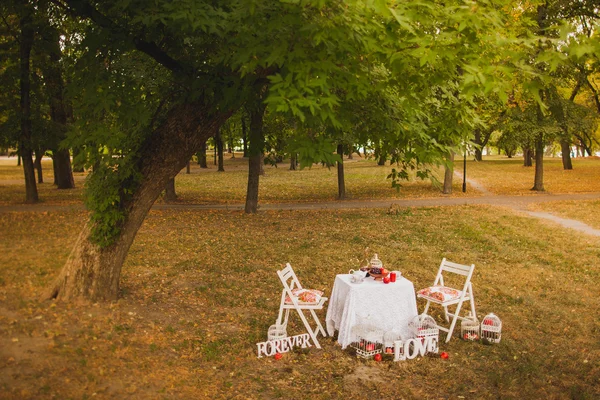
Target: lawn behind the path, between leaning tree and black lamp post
[364,180]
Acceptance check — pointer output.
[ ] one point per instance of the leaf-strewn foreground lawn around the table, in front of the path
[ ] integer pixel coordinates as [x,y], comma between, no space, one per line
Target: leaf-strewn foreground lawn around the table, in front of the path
[199,289]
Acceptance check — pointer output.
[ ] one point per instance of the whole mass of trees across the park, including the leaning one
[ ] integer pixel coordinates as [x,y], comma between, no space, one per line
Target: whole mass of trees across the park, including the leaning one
[133,89]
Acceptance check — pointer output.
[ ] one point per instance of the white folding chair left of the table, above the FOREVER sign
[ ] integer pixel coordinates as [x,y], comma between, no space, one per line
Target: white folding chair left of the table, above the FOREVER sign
[291,301]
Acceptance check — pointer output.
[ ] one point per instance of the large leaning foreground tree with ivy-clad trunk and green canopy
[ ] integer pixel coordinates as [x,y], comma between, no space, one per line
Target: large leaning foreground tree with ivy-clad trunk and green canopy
[156,79]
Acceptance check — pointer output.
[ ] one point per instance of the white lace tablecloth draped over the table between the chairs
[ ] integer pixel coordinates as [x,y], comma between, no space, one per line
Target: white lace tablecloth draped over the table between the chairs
[389,307]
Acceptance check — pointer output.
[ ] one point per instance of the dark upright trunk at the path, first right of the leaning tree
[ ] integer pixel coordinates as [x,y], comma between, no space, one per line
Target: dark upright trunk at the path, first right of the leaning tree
[257,143]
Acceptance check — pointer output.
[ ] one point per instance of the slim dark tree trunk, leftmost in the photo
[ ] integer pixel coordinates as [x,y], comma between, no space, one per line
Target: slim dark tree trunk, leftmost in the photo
[25,144]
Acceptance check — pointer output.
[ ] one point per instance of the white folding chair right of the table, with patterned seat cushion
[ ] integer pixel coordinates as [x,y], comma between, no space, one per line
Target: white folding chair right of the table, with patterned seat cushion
[448,296]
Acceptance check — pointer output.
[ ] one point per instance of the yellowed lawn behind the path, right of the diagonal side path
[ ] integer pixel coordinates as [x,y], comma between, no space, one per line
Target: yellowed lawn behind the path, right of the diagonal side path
[501,175]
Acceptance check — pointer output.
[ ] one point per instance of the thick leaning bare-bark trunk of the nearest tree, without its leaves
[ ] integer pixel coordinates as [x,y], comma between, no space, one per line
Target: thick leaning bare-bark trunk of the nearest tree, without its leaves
[92,272]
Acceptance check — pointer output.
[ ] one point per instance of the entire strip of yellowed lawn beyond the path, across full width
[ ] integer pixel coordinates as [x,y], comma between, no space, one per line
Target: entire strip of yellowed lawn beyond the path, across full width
[364,180]
